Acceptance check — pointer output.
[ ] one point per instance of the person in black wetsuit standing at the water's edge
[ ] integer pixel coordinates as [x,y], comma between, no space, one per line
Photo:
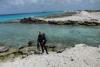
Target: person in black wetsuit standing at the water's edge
[41,42]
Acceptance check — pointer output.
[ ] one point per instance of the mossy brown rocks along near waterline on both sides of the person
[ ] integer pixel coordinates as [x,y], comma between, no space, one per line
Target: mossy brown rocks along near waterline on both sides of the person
[7,53]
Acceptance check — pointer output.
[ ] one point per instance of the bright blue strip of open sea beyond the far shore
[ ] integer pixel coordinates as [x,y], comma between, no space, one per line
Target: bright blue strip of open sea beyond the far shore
[7,17]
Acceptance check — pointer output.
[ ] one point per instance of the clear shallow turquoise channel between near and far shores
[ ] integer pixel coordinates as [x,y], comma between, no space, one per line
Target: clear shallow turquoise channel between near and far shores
[17,35]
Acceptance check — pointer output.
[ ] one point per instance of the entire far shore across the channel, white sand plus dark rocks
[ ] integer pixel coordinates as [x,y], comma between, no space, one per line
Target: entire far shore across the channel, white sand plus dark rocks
[78,18]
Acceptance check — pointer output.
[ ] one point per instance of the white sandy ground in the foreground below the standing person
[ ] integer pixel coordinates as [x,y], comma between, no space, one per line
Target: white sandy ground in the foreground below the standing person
[79,56]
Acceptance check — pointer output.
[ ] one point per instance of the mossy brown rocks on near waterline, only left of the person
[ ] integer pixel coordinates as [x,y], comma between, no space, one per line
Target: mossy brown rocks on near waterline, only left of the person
[24,51]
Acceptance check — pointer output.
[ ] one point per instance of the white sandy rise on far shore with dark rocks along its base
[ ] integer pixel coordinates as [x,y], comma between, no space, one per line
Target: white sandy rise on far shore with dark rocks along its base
[80,18]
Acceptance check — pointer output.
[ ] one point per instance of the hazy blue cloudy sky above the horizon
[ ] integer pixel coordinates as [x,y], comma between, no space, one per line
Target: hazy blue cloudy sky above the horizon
[26,6]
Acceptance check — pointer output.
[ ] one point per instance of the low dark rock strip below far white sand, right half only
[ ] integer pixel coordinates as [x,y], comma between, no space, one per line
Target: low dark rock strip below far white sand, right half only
[70,22]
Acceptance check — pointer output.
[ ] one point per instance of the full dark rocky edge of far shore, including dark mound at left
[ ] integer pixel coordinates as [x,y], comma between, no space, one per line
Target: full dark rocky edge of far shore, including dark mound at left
[91,22]
